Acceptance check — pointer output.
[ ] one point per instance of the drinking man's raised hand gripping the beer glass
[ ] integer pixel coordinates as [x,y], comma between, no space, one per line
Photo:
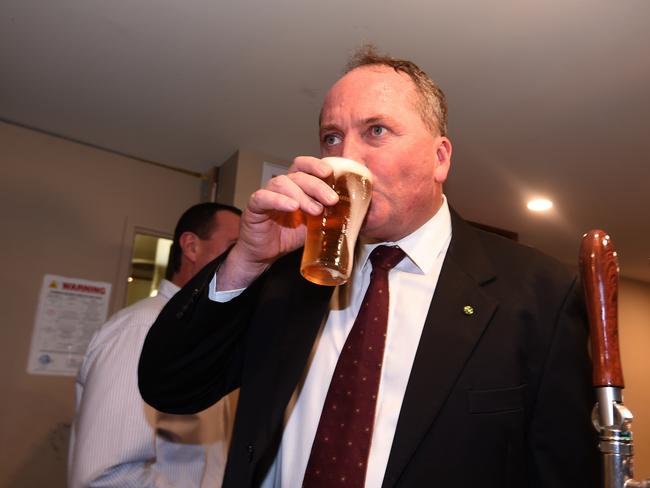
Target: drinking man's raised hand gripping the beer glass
[273,223]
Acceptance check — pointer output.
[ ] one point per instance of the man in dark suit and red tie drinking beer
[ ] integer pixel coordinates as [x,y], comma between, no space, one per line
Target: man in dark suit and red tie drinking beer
[451,357]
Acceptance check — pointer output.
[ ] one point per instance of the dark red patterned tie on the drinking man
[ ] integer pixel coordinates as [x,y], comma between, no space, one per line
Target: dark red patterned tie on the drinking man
[339,455]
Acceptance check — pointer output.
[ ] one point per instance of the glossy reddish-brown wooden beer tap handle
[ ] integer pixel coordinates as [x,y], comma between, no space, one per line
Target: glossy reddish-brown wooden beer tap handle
[599,270]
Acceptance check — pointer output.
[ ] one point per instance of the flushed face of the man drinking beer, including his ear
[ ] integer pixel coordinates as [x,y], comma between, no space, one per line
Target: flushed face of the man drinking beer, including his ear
[370,116]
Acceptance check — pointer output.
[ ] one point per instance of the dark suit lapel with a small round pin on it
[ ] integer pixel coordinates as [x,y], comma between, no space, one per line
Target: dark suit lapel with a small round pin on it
[450,334]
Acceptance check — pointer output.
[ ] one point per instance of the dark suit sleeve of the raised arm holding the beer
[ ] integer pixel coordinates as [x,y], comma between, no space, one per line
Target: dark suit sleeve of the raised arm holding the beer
[193,353]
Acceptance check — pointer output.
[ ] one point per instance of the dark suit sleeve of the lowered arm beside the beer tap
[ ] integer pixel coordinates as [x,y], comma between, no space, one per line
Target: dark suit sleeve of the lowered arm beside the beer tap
[562,441]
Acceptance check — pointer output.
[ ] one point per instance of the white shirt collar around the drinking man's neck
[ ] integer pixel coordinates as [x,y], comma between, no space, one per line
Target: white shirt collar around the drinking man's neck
[421,246]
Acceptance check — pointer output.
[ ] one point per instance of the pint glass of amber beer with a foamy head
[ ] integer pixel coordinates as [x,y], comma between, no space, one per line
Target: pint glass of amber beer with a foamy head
[331,236]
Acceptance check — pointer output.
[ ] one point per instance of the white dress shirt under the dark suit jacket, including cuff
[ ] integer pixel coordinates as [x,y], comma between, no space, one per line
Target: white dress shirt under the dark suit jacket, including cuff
[412,284]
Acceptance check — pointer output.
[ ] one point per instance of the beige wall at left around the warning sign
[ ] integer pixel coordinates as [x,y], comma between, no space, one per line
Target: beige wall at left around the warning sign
[71,210]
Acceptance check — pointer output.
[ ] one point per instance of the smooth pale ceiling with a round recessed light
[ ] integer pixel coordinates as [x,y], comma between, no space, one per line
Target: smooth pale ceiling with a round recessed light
[546,98]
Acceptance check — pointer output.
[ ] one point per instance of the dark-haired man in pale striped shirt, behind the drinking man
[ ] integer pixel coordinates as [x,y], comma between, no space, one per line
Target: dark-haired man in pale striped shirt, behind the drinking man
[119,441]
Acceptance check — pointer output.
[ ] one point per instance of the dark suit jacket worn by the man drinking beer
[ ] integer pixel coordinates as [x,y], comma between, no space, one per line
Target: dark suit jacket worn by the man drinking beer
[498,398]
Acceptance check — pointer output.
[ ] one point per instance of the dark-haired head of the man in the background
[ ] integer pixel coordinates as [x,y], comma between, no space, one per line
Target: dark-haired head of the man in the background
[203,232]
